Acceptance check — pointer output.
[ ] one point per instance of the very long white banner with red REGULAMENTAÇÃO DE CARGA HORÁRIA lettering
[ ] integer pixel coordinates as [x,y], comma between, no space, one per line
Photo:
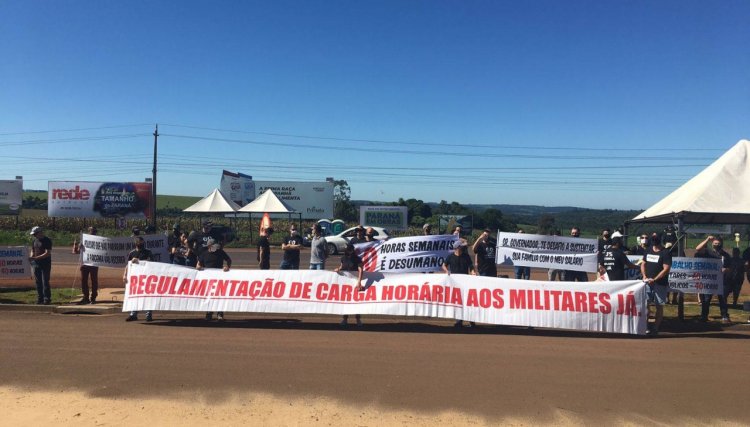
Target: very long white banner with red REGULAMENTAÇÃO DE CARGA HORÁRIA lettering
[618,307]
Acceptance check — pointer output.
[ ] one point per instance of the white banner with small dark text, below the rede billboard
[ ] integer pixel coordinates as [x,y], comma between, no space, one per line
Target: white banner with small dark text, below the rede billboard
[103,251]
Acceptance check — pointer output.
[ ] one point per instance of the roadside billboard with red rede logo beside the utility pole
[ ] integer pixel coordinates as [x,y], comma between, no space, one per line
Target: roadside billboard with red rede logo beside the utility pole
[99,199]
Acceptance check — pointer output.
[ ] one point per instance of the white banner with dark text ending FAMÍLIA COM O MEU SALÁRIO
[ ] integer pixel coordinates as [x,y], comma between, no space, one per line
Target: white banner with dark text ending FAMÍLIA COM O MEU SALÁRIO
[556,252]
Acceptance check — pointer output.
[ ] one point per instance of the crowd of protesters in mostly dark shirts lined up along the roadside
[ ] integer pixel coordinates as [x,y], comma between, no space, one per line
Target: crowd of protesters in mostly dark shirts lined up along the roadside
[205,249]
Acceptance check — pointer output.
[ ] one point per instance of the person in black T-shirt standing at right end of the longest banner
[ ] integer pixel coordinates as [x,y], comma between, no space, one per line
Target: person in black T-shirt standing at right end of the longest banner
[655,271]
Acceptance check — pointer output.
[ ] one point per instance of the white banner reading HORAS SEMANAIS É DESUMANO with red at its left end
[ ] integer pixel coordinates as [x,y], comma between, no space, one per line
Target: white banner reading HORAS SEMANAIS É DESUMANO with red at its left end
[415,254]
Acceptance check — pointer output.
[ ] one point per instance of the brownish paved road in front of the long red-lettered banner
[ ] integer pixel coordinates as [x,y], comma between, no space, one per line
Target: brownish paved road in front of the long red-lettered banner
[419,366]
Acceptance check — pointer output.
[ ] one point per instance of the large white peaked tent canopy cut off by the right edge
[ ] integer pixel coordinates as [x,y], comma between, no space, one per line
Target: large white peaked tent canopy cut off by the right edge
[720,194]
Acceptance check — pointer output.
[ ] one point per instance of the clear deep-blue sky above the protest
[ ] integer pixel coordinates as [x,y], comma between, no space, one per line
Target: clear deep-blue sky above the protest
[583,103]
